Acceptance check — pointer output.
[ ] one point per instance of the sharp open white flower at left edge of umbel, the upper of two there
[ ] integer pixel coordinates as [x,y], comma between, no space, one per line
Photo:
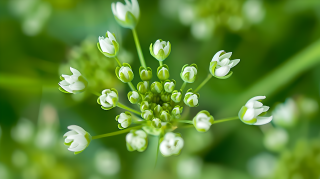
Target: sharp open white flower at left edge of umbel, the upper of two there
[74,83]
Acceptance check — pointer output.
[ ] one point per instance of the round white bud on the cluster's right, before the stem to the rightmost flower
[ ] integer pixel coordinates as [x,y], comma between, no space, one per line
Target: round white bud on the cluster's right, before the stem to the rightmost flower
[203,121]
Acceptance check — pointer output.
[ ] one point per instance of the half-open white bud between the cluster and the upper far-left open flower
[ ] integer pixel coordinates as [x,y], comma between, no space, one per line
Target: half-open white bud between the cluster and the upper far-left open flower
[108,99]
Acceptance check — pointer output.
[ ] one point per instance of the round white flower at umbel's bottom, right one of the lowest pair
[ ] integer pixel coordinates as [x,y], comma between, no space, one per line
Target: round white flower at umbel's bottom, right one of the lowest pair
[171,145]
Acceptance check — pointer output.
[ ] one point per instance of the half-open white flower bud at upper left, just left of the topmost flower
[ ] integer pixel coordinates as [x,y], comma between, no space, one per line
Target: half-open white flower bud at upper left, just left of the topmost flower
[109,45]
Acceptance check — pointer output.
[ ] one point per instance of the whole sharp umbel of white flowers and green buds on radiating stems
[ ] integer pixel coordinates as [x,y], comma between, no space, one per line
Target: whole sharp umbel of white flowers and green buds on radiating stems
[157,105]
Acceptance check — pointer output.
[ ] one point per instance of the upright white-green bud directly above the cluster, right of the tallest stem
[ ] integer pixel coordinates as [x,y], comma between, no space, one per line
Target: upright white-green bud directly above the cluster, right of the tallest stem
[160,50]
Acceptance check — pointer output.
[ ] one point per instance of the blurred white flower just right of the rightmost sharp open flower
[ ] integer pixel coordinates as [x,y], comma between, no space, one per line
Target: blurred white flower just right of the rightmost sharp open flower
[285,114]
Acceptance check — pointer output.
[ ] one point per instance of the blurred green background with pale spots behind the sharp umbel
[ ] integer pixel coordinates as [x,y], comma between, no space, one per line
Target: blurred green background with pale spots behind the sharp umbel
[278,42]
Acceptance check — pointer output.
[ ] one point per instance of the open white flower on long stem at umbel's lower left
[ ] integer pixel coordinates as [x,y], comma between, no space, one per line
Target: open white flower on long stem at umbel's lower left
[77,139]
